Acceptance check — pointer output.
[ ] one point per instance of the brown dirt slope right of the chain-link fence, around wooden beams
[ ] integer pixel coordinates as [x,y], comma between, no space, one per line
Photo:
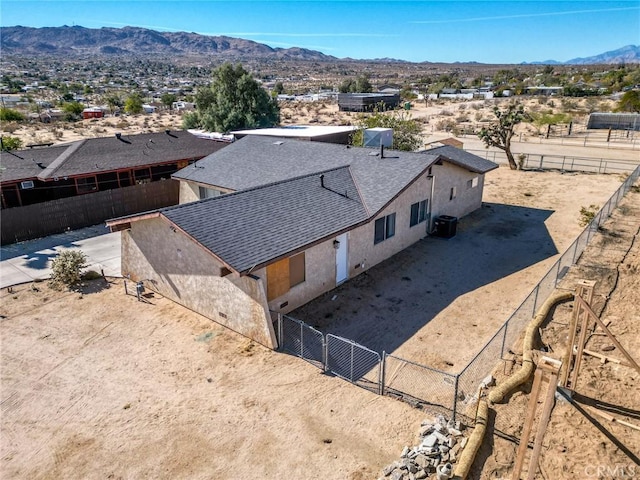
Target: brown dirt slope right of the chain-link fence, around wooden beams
[578,442]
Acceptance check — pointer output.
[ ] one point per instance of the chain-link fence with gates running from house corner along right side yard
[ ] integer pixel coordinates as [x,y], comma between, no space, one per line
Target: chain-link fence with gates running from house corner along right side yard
[423,386]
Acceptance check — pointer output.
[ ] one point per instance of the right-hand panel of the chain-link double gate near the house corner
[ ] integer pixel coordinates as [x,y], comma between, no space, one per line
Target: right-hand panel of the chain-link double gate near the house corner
[353,362]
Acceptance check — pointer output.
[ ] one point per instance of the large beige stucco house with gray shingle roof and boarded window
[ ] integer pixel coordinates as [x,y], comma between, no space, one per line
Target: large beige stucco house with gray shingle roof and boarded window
[304,217]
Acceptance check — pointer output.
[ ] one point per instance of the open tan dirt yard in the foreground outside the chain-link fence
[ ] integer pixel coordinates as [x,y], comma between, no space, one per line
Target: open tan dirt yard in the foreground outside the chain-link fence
[98,385]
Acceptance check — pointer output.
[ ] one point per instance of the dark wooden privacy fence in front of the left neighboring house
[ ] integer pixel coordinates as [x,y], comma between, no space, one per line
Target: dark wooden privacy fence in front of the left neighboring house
[57,216]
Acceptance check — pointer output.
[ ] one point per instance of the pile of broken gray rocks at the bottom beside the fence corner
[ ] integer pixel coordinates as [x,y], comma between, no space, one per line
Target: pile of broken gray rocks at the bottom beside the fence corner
[439,448]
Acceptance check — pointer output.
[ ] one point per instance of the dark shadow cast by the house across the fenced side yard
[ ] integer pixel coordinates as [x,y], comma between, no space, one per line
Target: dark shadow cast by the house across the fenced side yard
[497,239]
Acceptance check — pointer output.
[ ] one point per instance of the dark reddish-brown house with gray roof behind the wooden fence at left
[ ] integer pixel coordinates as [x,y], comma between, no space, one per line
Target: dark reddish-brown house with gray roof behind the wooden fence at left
[96,164]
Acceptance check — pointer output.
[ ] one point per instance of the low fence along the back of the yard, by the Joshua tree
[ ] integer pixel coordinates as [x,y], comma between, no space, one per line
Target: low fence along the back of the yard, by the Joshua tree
[562,162]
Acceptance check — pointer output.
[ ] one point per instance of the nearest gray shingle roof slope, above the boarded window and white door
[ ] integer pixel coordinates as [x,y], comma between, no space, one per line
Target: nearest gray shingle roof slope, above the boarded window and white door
[255,226]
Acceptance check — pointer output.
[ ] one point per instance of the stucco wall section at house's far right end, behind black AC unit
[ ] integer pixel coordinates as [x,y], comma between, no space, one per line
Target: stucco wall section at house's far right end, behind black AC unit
[467,199]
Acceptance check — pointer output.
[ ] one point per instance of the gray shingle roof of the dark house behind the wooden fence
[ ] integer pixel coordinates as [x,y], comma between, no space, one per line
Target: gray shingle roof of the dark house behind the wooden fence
[96,155]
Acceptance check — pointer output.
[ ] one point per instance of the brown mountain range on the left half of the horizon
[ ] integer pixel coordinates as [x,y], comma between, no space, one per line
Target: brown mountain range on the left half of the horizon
[76,40]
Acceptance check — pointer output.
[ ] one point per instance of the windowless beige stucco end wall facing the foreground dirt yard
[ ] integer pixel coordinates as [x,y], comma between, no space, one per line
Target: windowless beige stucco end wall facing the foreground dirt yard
[175,266]
